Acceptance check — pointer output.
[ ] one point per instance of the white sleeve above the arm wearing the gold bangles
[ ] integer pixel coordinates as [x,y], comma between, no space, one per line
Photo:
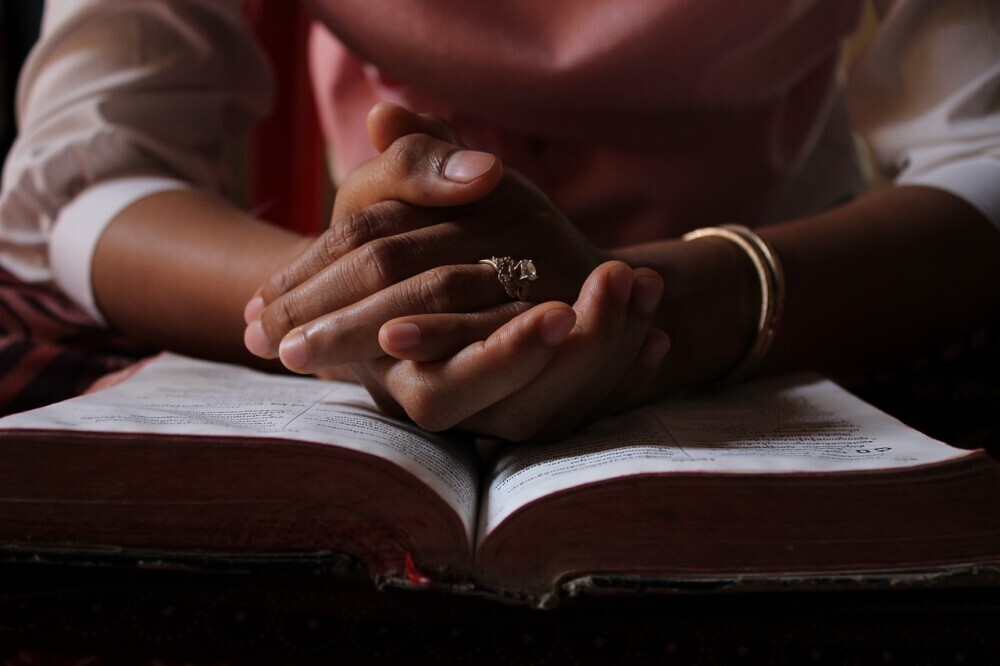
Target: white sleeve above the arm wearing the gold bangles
[926,95]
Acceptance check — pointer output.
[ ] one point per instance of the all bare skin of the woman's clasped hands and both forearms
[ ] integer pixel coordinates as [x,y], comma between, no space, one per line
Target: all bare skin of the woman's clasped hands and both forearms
[393,290]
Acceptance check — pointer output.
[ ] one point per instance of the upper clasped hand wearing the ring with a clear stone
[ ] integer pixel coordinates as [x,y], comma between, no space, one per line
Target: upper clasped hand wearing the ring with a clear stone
[405,239]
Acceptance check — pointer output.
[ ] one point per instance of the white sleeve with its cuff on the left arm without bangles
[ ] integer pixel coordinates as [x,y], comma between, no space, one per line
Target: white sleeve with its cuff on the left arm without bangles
[112,90]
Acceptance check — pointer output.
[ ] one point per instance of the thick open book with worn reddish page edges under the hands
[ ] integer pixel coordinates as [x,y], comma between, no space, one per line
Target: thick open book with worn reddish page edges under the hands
[785,480]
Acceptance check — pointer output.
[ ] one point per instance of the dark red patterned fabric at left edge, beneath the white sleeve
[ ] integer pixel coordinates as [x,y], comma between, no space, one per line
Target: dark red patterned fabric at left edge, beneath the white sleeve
[49,349]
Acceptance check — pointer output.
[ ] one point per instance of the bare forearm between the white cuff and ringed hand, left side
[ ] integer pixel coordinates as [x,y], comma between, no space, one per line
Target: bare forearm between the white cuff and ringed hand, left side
[177,268]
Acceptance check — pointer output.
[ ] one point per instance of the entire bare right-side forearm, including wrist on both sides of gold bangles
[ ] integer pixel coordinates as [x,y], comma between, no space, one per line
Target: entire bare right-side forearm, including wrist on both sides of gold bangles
[872,281]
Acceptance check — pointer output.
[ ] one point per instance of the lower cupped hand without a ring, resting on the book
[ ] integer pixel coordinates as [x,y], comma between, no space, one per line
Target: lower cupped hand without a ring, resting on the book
[537,377]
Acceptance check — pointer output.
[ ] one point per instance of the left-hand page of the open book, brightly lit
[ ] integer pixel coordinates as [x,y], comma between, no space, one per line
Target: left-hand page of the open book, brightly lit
[181,396]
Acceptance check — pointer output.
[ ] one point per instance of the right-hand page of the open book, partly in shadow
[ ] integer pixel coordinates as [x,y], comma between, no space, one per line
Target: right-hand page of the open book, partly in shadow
[782,426]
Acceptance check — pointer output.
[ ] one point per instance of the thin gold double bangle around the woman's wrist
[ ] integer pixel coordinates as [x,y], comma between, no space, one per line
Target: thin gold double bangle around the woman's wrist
[772,291]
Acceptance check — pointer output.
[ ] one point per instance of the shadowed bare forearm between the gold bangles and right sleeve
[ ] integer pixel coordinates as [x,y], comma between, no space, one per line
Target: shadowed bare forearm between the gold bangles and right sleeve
[883,279]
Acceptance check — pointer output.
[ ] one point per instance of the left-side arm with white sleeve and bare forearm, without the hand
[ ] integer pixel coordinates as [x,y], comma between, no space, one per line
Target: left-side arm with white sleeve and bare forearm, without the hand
[112,94]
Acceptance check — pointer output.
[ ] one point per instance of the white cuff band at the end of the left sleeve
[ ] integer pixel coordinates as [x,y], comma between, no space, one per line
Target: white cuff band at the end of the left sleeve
[80,225]
